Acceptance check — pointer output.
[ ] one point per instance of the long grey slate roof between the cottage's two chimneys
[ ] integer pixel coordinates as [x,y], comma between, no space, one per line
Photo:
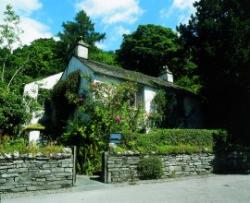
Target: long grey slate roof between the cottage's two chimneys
[120,73]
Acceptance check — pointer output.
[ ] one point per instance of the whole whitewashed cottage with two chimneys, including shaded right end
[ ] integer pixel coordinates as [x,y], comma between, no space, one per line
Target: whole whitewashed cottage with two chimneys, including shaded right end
[186,109]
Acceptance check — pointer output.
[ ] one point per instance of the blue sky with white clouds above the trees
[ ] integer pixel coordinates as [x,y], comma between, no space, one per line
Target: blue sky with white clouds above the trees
[44,18]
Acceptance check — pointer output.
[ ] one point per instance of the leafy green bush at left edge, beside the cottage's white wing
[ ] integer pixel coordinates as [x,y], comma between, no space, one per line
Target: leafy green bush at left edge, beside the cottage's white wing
[12,111]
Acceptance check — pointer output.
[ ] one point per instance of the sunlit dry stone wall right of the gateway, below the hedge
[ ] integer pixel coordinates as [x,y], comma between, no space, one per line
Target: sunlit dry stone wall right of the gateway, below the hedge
[122,168]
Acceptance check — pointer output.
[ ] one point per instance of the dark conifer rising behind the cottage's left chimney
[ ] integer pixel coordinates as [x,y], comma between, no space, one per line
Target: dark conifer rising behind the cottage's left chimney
[83,28]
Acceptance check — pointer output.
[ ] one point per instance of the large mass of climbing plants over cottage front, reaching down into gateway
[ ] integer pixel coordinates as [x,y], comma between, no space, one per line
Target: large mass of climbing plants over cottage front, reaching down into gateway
[87,117]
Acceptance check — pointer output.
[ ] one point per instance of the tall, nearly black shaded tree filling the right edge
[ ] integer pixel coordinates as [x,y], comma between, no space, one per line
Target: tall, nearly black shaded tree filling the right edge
[218,36]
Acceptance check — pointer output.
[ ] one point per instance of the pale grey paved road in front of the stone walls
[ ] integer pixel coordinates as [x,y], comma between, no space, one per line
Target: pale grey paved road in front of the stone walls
[213,189]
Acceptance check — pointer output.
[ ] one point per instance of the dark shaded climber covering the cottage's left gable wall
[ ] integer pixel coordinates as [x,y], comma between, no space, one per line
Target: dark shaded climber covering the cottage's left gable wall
[60,106]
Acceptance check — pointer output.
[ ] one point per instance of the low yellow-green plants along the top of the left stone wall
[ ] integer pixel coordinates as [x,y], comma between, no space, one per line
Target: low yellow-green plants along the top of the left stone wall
[20,145]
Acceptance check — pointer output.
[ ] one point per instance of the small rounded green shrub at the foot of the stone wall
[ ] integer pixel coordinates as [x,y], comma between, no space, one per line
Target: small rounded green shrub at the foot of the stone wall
[150,168]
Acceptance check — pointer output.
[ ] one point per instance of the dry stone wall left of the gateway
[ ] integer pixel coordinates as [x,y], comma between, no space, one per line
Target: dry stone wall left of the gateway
[20,173]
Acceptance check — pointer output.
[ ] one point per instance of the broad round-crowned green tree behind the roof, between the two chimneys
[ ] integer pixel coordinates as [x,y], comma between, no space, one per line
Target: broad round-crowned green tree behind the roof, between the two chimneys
[148,49]
